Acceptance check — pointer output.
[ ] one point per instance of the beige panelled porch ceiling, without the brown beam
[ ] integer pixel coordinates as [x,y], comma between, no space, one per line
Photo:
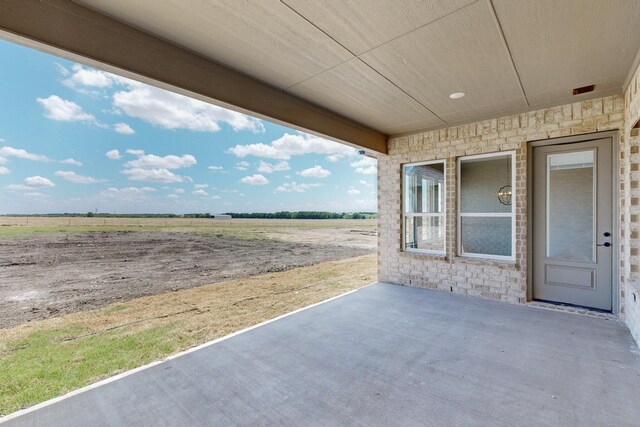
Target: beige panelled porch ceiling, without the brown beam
[391,65]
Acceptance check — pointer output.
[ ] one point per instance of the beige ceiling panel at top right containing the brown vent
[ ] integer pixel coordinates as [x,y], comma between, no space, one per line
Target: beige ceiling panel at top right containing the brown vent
[560,45]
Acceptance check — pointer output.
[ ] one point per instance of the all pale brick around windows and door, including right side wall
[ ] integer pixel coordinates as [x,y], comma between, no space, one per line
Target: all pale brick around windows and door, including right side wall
[507,281]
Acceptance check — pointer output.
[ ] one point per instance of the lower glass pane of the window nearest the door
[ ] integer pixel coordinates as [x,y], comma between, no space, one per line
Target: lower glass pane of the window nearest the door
[486,235]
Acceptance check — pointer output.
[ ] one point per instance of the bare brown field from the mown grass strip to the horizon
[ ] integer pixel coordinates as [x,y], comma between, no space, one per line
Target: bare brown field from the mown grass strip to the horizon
[50,267]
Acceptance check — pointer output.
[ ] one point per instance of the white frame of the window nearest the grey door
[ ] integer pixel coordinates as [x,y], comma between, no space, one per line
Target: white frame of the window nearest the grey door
[511,215]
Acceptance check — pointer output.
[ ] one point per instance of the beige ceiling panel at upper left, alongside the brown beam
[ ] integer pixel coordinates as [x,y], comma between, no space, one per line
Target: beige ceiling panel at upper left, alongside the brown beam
[264,39]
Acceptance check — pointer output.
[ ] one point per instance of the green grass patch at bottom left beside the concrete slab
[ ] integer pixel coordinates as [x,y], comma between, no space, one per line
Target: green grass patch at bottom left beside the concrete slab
[42,365]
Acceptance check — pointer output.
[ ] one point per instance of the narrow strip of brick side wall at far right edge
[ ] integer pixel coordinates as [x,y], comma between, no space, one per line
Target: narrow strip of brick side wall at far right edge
[630,212]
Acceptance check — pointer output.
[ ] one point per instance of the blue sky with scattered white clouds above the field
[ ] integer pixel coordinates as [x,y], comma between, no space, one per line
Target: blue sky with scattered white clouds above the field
[76,139]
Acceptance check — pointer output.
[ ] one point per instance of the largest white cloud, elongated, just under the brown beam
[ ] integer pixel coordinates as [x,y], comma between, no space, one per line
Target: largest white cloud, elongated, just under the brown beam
[173,111]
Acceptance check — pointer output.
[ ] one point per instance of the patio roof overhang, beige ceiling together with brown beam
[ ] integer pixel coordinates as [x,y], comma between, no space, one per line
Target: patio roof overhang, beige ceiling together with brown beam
[352,71]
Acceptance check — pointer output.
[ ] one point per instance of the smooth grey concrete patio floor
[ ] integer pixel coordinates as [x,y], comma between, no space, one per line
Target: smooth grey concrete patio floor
[384,355]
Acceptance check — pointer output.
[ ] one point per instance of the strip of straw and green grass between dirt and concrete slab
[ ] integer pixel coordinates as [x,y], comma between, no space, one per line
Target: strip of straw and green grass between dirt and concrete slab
[45,359]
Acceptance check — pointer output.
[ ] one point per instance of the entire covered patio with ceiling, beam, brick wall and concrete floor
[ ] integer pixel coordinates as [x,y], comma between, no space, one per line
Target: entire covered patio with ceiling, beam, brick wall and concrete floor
[446,95]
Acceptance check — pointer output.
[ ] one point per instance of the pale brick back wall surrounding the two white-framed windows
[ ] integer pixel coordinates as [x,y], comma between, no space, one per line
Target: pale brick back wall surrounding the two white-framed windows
[506,281]
